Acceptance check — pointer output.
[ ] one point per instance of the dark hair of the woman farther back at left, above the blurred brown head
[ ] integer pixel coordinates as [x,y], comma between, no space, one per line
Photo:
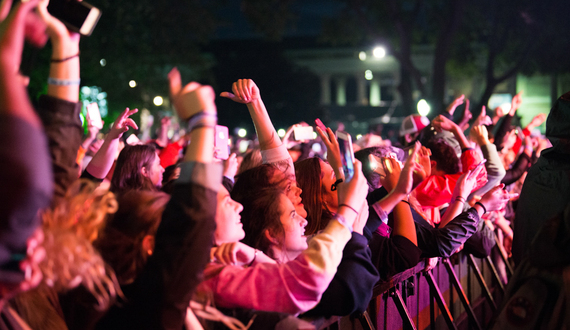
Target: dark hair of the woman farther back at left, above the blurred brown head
[128,175]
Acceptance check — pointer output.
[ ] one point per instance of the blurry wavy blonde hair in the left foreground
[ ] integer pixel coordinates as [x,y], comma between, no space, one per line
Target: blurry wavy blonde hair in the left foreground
[70,227]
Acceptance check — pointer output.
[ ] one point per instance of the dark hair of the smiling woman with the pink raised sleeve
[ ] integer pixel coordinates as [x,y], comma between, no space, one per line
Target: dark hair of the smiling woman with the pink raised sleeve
[261,212]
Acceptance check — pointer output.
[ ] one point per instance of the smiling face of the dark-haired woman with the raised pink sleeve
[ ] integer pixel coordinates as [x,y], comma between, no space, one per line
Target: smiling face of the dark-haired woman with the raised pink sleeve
[294,241]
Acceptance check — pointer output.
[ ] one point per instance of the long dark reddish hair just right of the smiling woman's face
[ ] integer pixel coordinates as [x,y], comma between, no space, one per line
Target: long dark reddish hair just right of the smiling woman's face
[309,179]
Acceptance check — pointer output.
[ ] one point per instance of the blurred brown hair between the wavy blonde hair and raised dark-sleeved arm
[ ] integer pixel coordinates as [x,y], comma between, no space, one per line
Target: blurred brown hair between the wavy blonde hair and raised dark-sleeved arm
[120,243]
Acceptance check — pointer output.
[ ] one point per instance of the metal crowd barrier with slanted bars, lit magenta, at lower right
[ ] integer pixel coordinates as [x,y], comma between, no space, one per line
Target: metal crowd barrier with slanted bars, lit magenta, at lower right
[461,292]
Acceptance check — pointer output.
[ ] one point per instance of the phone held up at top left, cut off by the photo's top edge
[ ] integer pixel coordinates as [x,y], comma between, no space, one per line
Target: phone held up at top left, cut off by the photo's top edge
[78,16]
